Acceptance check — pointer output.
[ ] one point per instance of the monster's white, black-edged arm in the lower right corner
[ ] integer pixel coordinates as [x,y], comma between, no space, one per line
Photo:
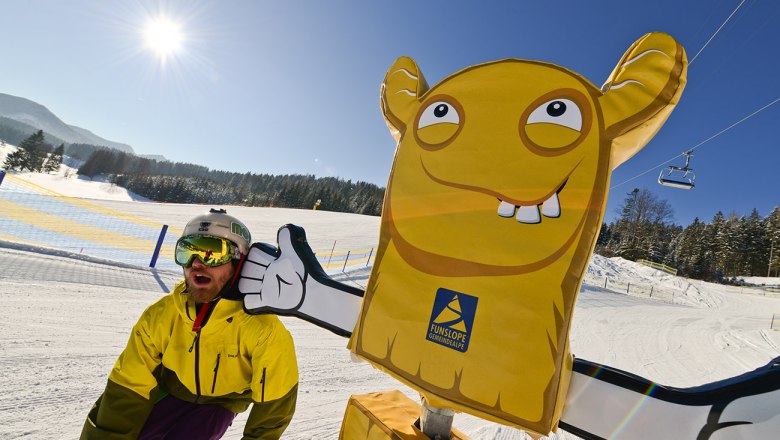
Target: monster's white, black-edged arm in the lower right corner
[605,402]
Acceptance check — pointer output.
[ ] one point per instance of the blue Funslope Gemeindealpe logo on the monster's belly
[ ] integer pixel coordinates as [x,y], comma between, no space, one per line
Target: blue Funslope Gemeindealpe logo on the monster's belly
[452,319]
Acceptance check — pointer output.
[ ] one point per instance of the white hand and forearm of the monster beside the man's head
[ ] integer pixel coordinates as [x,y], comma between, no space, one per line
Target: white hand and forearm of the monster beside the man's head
[289,281]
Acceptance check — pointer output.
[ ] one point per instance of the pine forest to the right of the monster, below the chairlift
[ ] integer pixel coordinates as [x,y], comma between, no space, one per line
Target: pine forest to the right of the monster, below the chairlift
[726,247]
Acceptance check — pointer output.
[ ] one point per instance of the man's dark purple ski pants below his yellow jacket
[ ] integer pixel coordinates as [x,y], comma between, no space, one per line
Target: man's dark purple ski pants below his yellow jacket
[174,419]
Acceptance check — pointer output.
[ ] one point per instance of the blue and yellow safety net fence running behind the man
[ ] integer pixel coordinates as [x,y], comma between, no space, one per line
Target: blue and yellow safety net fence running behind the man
[34,215]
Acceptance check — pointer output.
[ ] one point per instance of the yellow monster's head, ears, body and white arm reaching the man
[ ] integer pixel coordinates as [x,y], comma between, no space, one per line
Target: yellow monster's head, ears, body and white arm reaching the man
[491,213]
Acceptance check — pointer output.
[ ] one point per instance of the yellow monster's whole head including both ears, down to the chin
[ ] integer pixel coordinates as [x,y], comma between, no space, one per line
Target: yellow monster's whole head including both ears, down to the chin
[515,155]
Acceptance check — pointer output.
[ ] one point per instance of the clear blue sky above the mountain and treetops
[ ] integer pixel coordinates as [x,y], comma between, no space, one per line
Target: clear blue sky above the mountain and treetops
[286,87]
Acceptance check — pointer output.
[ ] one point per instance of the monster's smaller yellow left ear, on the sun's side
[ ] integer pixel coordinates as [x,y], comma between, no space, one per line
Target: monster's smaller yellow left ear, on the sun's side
[401,91]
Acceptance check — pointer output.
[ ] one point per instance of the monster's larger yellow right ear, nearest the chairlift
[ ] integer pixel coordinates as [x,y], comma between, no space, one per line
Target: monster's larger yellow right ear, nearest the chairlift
[641,92]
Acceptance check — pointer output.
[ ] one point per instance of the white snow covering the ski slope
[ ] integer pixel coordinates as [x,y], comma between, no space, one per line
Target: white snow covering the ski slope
[67,319]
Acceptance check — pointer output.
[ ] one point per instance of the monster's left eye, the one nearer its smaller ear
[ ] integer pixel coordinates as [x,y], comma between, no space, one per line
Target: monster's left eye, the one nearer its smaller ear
[439,122]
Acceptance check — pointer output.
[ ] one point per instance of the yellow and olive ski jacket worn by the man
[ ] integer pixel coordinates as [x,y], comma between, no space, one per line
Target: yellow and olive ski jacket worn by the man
[234,359]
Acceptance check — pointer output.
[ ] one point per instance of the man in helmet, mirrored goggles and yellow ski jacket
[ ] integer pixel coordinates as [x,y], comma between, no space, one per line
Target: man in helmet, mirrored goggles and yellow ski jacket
[195,358]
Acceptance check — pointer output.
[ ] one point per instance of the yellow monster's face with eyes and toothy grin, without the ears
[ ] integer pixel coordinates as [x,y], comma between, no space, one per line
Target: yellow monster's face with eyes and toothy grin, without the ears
[509,154]
